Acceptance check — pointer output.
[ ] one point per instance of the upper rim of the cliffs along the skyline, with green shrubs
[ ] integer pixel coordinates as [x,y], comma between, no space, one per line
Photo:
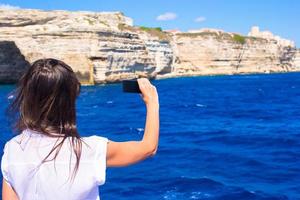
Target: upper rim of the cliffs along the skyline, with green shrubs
[31,21]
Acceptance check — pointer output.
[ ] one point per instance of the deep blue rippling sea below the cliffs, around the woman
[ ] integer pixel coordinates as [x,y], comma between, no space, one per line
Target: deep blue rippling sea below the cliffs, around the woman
[221,137]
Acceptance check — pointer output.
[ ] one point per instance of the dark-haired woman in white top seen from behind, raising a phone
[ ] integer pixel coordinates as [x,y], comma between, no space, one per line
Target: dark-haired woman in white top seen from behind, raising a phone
[48,159]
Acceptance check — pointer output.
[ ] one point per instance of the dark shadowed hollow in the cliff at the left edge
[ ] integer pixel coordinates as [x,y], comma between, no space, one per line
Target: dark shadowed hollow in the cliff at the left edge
[12,62]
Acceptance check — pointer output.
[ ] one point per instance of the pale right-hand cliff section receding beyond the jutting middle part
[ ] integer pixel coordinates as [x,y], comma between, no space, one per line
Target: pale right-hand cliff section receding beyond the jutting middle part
[225,53]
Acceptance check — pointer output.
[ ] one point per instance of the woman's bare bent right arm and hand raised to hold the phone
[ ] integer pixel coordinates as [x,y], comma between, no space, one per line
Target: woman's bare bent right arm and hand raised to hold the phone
[126,153]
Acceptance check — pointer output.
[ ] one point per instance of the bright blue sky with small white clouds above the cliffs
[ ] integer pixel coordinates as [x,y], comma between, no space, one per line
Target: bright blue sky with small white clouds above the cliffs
[281,17]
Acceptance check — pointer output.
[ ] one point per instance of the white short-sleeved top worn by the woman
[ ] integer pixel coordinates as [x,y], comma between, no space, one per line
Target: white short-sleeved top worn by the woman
[22,169]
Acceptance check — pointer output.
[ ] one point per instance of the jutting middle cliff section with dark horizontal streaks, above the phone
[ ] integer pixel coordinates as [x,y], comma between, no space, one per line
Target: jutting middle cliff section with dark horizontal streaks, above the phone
[122,55]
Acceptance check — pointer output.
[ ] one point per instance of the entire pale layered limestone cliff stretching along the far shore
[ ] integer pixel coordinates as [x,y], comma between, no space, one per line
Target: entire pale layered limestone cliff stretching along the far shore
[106,47]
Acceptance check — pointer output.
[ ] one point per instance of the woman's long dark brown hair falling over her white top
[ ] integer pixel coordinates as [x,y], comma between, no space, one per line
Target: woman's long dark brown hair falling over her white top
[44,101]
